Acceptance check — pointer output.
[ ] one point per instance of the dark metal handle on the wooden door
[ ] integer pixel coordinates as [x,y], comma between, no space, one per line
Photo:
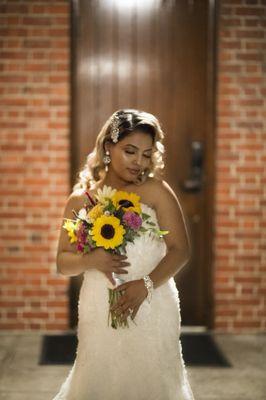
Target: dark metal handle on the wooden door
[193,183]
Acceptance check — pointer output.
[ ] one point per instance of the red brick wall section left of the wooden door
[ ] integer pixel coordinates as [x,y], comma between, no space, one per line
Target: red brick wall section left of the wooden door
[34,123]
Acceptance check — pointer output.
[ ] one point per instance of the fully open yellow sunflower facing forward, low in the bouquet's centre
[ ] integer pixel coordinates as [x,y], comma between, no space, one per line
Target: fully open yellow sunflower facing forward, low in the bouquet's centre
[107,232]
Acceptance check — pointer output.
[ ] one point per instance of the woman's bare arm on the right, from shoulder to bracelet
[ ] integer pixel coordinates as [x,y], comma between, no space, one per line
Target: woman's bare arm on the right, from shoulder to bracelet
[170,217]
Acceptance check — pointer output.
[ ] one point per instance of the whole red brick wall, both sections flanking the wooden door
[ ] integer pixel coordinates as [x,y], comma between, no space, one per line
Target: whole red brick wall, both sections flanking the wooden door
[34,165]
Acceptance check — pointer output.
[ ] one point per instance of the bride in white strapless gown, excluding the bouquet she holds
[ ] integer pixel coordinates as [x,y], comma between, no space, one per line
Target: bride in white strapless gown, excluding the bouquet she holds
[143,361]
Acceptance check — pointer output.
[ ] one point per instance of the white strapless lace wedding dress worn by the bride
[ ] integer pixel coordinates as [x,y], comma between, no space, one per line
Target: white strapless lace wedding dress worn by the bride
[142,362]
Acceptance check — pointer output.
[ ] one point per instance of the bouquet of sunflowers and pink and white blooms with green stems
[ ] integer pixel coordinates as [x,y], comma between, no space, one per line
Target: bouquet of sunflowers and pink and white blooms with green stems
[111,221]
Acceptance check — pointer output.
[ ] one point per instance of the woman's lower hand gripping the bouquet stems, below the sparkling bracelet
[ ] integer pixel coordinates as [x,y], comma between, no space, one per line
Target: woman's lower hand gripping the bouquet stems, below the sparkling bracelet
[134,295]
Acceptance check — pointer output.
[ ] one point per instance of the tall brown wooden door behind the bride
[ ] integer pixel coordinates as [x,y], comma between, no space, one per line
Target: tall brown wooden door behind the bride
[156,56]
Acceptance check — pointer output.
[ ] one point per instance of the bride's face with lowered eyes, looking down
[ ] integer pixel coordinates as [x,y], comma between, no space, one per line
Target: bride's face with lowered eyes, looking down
[131,155]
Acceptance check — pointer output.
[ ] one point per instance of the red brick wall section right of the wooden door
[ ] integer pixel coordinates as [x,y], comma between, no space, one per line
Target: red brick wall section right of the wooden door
[240,279]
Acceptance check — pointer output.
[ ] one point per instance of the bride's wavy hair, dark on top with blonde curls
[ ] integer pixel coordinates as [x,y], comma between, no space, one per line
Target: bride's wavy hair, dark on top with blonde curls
[129,120]
